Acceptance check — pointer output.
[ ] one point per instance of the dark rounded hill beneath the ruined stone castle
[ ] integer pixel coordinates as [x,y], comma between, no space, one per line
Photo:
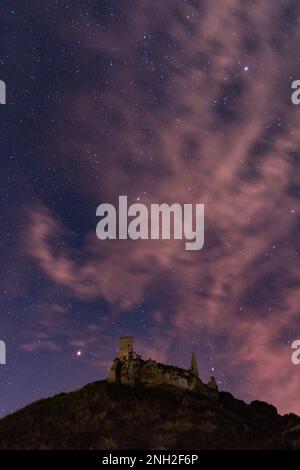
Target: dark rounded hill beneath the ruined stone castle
[110,416]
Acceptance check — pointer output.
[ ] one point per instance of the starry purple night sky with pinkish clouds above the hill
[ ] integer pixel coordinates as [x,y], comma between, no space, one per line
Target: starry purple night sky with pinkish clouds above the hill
[162,101]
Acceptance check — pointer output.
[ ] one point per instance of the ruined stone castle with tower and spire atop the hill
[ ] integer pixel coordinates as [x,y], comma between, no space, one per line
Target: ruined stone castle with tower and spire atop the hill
[129,368]
